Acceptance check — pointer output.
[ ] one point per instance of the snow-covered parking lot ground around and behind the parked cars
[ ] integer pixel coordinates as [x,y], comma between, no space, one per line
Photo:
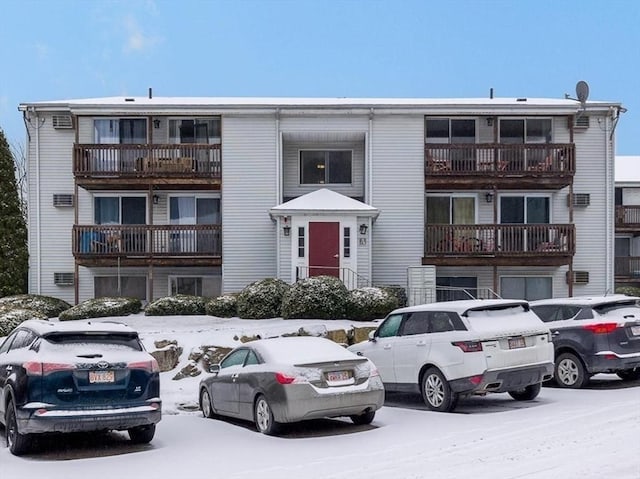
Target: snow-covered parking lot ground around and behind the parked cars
[587,434]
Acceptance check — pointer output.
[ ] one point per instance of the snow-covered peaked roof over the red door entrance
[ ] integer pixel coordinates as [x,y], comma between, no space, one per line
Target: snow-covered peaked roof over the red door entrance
[322,202]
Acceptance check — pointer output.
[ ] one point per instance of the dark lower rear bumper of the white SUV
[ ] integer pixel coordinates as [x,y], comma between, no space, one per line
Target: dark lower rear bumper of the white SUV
[503,380]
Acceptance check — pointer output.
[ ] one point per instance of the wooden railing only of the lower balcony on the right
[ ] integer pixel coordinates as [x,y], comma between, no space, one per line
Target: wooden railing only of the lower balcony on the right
[500,240]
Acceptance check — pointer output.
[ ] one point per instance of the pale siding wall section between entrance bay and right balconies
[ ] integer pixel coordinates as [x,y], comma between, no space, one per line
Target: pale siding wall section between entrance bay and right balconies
[397,237]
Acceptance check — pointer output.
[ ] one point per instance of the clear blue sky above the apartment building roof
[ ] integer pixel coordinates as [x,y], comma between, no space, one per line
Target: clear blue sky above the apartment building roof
[61,49]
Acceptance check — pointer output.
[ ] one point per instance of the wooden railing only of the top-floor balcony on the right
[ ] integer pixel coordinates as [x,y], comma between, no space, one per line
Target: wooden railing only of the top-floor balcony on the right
[499,159]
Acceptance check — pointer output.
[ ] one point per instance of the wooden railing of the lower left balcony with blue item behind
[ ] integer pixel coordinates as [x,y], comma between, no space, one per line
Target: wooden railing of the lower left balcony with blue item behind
[146,241]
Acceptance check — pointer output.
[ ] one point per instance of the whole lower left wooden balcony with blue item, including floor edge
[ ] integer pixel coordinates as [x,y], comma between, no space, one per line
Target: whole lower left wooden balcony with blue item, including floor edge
[142,245]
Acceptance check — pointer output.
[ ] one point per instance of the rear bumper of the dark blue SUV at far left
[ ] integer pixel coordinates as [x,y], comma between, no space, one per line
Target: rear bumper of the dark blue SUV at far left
[37,418]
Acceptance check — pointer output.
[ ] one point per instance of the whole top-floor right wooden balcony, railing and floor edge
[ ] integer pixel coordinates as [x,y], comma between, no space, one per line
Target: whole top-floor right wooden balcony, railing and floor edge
[496,165]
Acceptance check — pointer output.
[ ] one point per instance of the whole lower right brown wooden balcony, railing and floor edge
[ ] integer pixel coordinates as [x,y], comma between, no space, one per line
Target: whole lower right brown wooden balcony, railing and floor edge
[499,245]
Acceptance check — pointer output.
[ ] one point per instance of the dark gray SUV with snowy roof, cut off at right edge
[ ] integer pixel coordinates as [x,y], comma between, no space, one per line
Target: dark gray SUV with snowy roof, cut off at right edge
[592,335]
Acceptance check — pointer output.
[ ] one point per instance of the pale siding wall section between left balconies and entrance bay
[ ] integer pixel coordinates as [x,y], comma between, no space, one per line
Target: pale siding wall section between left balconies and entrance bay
[249,190]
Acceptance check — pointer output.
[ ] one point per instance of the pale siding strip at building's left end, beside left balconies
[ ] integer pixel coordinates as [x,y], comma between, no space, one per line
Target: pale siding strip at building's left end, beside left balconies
[55,166]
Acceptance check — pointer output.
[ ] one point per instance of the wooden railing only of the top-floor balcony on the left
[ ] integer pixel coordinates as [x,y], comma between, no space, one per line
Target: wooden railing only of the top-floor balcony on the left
[148,160]
